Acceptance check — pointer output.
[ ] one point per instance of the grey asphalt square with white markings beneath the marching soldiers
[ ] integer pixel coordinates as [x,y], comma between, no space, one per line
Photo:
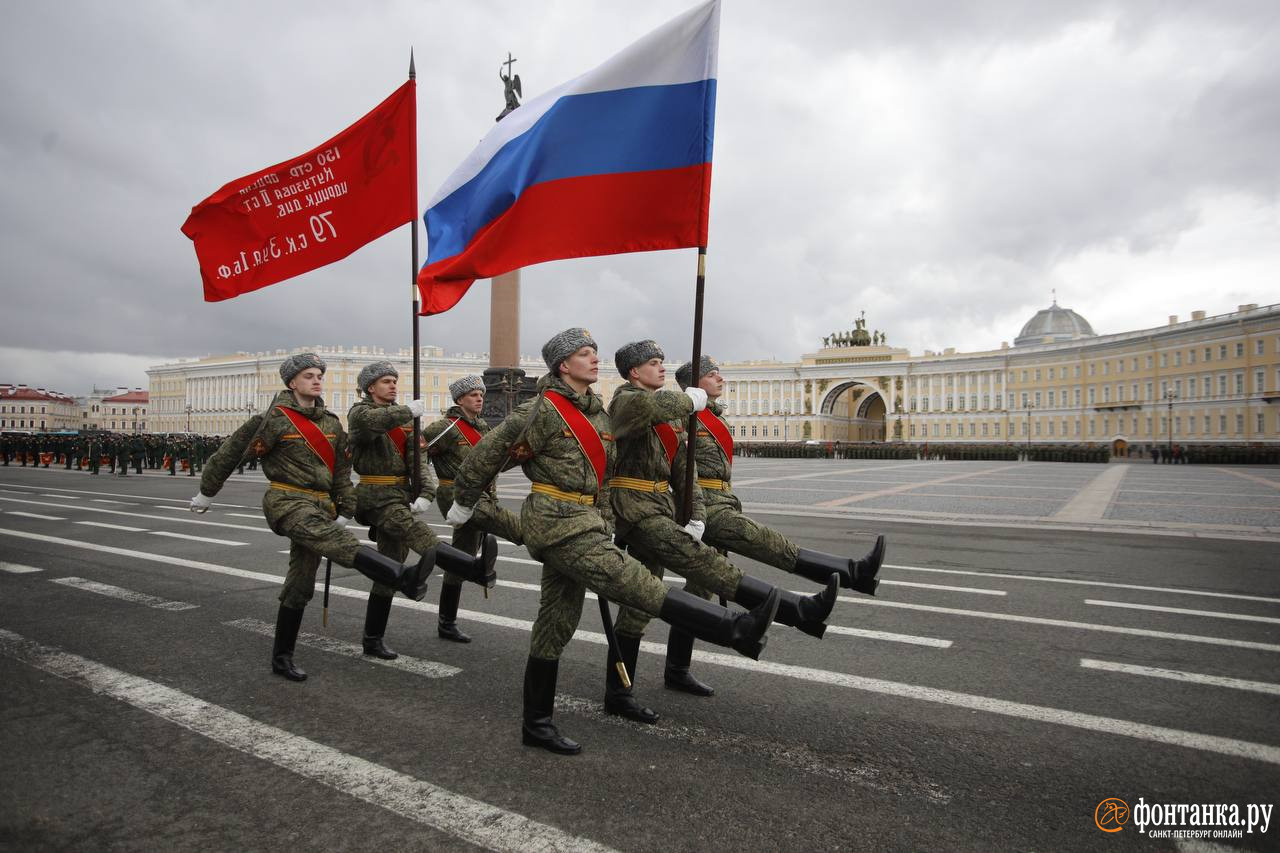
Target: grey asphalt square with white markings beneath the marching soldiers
[1046,637]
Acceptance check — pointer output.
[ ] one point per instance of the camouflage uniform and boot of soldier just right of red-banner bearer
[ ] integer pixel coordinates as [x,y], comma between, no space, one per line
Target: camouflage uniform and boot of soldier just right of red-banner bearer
[447,455]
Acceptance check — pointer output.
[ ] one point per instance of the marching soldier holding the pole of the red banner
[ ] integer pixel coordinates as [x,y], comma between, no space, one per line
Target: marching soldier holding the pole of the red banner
[382,455]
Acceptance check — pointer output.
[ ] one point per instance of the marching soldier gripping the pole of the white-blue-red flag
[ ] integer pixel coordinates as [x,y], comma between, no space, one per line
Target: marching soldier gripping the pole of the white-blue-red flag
[647,489]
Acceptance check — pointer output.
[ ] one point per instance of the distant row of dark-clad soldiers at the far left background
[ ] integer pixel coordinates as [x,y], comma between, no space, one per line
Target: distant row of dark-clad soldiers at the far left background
[118,451]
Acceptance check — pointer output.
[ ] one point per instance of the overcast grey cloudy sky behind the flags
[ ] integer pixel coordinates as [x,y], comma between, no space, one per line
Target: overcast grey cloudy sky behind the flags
[943,165]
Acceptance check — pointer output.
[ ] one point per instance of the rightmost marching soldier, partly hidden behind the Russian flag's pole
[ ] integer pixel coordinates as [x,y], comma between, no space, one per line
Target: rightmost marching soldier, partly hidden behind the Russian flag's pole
[732,531]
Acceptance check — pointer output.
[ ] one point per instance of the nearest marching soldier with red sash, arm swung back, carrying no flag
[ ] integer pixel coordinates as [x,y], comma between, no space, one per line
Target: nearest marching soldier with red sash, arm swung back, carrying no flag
[563,440]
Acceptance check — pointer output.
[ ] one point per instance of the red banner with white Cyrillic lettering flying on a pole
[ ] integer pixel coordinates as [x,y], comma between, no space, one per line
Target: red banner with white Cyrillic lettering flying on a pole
[313,211]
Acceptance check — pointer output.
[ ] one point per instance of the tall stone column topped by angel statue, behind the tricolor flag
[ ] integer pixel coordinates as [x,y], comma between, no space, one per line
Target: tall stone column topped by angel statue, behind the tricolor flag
[505,382]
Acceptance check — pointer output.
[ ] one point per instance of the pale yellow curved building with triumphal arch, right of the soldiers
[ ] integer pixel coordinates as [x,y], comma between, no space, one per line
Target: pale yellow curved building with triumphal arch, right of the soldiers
[1209,380]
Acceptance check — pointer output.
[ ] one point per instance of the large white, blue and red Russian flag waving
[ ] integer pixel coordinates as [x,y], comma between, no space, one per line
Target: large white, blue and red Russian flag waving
[616,161]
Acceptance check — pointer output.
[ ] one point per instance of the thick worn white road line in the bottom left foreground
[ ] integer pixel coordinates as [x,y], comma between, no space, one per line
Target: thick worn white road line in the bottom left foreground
[470,820]
